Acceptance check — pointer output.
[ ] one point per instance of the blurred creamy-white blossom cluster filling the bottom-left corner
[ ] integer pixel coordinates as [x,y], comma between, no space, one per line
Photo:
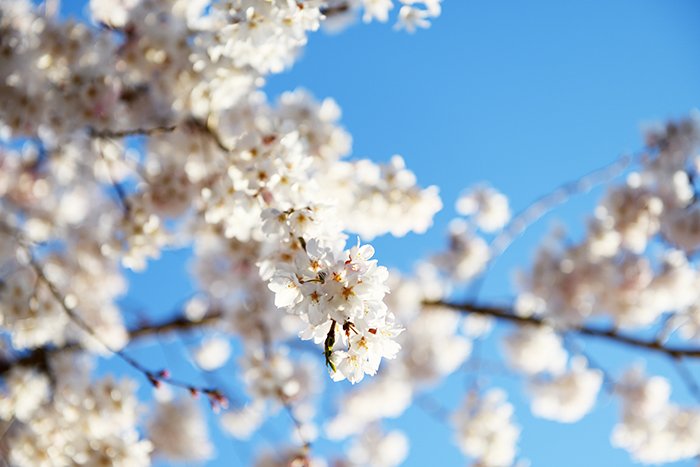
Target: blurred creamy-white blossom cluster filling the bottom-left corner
[85,423]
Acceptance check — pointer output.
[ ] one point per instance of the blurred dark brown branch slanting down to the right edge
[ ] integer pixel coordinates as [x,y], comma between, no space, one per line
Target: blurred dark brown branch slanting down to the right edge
[612,335]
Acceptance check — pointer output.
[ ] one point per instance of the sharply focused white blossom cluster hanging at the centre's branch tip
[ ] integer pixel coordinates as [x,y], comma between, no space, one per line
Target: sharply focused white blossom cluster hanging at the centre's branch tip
[339,296]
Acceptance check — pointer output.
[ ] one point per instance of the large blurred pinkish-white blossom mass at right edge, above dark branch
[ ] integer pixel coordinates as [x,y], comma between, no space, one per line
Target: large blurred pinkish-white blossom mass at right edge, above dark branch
[609,272]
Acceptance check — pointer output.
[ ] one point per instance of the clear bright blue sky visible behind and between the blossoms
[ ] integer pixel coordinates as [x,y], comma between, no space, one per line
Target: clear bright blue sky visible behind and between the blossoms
[525,95]
